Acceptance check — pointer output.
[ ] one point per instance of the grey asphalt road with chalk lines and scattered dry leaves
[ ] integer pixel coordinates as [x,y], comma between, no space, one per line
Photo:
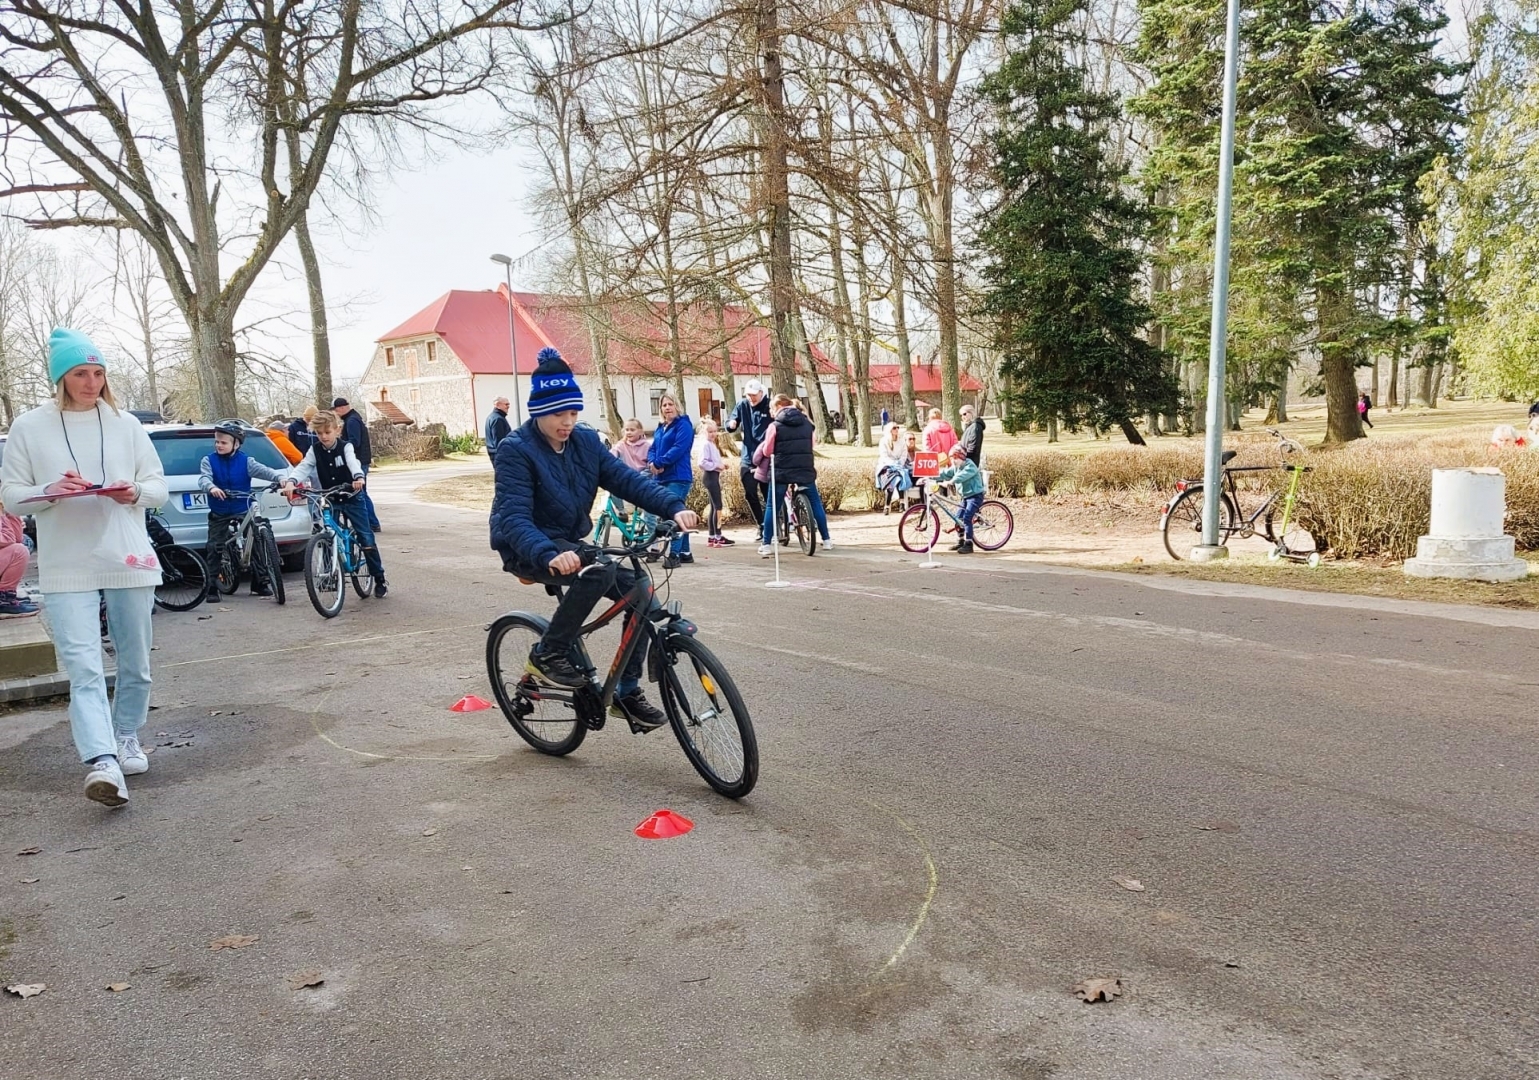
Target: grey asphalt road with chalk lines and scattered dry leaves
[1330,805]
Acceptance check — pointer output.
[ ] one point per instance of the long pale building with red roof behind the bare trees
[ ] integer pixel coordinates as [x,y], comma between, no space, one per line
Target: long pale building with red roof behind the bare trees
[452,361]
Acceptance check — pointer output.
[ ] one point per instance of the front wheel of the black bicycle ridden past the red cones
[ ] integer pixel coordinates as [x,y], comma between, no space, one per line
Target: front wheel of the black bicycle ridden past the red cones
[709,718]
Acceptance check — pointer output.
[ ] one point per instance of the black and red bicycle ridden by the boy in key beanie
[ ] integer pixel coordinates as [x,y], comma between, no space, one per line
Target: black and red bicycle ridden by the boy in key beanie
[704,708]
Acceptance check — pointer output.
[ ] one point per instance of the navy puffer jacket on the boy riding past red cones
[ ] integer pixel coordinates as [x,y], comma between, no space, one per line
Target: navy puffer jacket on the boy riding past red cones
[542,501]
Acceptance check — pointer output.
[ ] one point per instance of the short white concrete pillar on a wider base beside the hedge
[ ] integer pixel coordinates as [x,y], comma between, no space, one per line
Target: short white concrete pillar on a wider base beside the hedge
[1467,539]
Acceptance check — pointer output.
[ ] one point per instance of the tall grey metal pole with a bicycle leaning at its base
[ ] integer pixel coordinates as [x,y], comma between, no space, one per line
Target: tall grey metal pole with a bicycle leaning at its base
[1218,341]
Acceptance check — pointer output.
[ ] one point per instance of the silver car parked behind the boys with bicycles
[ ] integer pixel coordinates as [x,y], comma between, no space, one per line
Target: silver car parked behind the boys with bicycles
[182,450]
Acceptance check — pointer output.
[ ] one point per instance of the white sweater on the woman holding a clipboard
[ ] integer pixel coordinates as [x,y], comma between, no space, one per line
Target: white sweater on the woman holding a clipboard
[75,548]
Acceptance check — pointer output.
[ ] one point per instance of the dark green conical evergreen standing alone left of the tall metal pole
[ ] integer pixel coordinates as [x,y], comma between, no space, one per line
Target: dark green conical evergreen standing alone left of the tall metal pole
[1063,270]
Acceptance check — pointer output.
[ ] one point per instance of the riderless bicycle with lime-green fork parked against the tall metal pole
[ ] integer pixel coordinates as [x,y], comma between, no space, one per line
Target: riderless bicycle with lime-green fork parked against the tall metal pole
[1181,521]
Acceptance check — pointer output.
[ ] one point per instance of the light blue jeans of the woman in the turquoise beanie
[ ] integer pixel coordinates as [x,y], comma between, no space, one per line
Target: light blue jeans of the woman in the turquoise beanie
[75,619]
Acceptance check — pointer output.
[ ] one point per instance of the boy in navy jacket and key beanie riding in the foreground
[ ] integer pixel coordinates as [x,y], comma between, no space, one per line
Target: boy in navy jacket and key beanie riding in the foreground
[549,473]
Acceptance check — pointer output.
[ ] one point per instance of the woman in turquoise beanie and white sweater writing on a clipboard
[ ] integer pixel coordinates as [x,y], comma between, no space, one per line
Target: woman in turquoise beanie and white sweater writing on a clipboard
[85,470]
